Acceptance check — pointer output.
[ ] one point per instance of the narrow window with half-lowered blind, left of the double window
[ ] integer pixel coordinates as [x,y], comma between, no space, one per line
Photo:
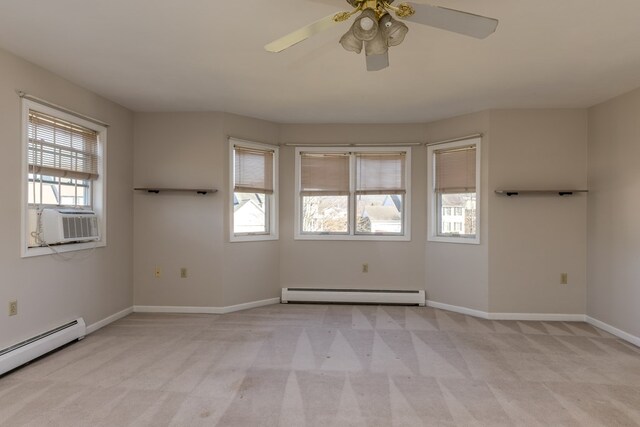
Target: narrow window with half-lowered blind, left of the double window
[253,189]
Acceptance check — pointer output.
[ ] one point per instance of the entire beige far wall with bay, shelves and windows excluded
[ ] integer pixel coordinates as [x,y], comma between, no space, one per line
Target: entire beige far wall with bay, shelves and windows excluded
[523,240]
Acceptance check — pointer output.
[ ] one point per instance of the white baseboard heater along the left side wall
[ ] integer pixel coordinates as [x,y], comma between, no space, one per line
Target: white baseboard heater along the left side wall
[25,351]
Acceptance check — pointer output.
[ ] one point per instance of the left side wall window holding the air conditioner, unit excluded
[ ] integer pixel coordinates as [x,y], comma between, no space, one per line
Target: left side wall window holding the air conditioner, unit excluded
[64,167]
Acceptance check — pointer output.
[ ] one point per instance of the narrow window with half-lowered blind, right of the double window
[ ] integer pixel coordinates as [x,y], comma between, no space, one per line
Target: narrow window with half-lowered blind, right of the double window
[454,191]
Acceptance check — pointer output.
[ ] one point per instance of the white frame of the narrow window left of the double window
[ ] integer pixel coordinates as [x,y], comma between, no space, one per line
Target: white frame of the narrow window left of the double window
[273,204]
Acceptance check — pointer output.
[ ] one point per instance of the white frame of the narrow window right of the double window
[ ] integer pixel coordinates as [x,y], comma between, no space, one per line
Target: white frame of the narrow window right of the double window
[432,225]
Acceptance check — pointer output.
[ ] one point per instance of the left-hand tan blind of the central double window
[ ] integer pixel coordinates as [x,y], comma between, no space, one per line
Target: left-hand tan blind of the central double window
[324,173]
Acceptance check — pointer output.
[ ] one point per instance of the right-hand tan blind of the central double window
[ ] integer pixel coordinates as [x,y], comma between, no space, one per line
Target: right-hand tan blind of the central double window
[380,173]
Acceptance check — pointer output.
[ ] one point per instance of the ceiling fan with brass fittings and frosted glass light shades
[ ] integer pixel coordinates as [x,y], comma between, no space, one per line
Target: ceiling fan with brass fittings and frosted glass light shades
[377,30]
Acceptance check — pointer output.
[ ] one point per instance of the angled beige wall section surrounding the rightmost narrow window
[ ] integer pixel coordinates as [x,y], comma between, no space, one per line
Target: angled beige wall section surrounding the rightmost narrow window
[458,274]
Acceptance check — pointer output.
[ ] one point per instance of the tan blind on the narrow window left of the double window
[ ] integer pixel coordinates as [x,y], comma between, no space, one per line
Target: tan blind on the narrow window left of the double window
[253,170]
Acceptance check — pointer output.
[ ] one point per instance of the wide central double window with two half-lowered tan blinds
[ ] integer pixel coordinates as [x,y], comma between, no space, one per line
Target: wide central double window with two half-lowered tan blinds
[352,194]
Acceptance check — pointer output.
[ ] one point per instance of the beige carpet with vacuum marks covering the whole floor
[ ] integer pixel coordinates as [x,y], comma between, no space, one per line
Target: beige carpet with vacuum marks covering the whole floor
[318,365]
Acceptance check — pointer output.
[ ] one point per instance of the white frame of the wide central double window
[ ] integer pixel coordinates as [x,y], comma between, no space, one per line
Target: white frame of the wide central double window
[405,237]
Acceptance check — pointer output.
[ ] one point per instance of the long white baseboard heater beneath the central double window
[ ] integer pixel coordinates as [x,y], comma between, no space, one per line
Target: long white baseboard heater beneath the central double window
[352,296]
